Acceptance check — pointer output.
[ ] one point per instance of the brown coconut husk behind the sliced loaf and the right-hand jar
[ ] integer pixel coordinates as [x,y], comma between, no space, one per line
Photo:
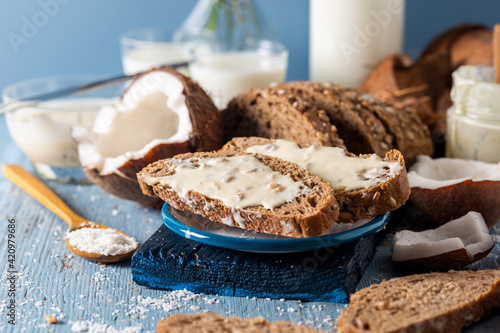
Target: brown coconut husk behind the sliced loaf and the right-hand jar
[426,82]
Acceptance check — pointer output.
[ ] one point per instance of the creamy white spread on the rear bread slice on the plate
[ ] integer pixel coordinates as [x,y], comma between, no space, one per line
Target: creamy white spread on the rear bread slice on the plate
[332,164]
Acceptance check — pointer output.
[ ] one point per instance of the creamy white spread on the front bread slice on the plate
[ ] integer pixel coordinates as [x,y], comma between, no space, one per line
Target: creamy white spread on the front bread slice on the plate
[238,181]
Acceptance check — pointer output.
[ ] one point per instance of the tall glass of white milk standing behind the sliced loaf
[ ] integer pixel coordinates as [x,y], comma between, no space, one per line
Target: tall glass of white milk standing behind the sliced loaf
[348,38]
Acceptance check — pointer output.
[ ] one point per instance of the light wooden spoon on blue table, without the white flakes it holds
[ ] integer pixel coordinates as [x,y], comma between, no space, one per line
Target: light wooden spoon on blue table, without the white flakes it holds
[34,187]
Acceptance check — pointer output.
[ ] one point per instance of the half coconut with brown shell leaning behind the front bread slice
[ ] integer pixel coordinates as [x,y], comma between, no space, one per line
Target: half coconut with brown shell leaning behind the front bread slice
[162,113]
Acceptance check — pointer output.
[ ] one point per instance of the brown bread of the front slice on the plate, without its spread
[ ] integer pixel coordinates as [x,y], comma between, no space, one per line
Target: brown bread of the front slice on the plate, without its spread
[309,214]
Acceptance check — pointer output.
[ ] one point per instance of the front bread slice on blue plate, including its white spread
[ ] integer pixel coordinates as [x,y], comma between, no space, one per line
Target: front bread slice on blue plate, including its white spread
[256,192]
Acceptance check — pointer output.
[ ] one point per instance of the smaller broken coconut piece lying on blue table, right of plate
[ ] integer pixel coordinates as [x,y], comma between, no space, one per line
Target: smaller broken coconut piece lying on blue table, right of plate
[454,244]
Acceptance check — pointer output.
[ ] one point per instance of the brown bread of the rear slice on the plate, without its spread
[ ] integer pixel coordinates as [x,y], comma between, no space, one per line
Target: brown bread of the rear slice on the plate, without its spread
[356,204]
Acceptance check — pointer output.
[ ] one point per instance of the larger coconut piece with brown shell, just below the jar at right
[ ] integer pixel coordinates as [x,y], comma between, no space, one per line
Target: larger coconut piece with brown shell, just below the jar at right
[447,188]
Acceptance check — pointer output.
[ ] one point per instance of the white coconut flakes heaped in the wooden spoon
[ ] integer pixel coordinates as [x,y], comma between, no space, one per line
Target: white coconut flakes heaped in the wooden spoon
[101,241]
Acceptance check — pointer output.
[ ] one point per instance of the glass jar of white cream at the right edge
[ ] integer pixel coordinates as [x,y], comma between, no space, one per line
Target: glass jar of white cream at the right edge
[473,122]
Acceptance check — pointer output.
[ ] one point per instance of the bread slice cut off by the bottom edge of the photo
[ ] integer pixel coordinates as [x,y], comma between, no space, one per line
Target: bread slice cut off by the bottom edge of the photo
[214,323]
